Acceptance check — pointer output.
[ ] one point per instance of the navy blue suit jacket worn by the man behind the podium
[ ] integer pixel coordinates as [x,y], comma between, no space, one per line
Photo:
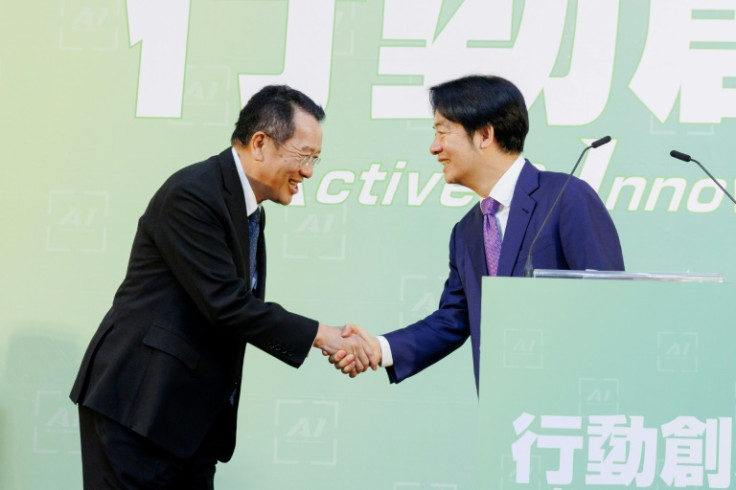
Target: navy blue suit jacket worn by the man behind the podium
[579,235]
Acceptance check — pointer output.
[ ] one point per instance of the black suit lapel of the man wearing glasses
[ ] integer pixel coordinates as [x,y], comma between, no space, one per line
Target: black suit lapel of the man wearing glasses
[235,201]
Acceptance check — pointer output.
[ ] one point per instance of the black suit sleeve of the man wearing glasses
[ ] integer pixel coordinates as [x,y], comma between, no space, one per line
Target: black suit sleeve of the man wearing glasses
[190,234]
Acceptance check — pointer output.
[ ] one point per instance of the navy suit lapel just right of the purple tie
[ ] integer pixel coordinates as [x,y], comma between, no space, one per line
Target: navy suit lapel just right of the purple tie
[522,208]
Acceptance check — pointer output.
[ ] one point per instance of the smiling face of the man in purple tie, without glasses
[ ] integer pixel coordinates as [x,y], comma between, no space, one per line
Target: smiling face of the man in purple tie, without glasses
[454,150]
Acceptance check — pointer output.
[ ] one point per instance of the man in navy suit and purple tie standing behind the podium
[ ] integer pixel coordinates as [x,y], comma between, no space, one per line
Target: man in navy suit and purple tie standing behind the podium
[480,125]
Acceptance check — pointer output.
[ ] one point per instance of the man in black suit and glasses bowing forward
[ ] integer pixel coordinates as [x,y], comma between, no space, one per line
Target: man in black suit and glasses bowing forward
[159,385]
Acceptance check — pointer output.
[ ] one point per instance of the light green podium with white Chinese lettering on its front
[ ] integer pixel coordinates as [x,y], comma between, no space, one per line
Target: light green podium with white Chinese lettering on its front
[607,383]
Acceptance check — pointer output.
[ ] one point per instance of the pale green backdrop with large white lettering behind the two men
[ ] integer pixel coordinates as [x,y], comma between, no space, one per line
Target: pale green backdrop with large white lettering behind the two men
[101,100]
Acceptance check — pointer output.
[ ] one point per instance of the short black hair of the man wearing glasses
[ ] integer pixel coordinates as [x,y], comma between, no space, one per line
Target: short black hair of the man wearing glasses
[271,110]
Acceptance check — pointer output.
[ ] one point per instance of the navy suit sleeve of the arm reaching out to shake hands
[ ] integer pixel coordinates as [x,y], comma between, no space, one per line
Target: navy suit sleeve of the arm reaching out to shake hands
[425,342]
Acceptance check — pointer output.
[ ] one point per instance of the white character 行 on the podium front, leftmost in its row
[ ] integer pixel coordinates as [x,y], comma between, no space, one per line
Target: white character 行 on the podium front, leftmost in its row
[566,444]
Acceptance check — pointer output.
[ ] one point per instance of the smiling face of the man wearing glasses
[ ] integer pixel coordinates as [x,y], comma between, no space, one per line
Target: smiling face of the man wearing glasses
[281,168]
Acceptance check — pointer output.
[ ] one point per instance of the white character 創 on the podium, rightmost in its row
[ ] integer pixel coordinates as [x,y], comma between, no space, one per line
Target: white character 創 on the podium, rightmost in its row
[692,446]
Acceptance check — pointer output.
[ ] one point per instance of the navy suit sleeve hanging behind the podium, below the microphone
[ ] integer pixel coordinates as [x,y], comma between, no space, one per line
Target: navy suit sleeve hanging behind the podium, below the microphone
[588,235]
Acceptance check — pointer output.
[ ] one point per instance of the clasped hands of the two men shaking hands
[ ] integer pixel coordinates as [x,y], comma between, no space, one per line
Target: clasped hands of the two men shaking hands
[351,349]
